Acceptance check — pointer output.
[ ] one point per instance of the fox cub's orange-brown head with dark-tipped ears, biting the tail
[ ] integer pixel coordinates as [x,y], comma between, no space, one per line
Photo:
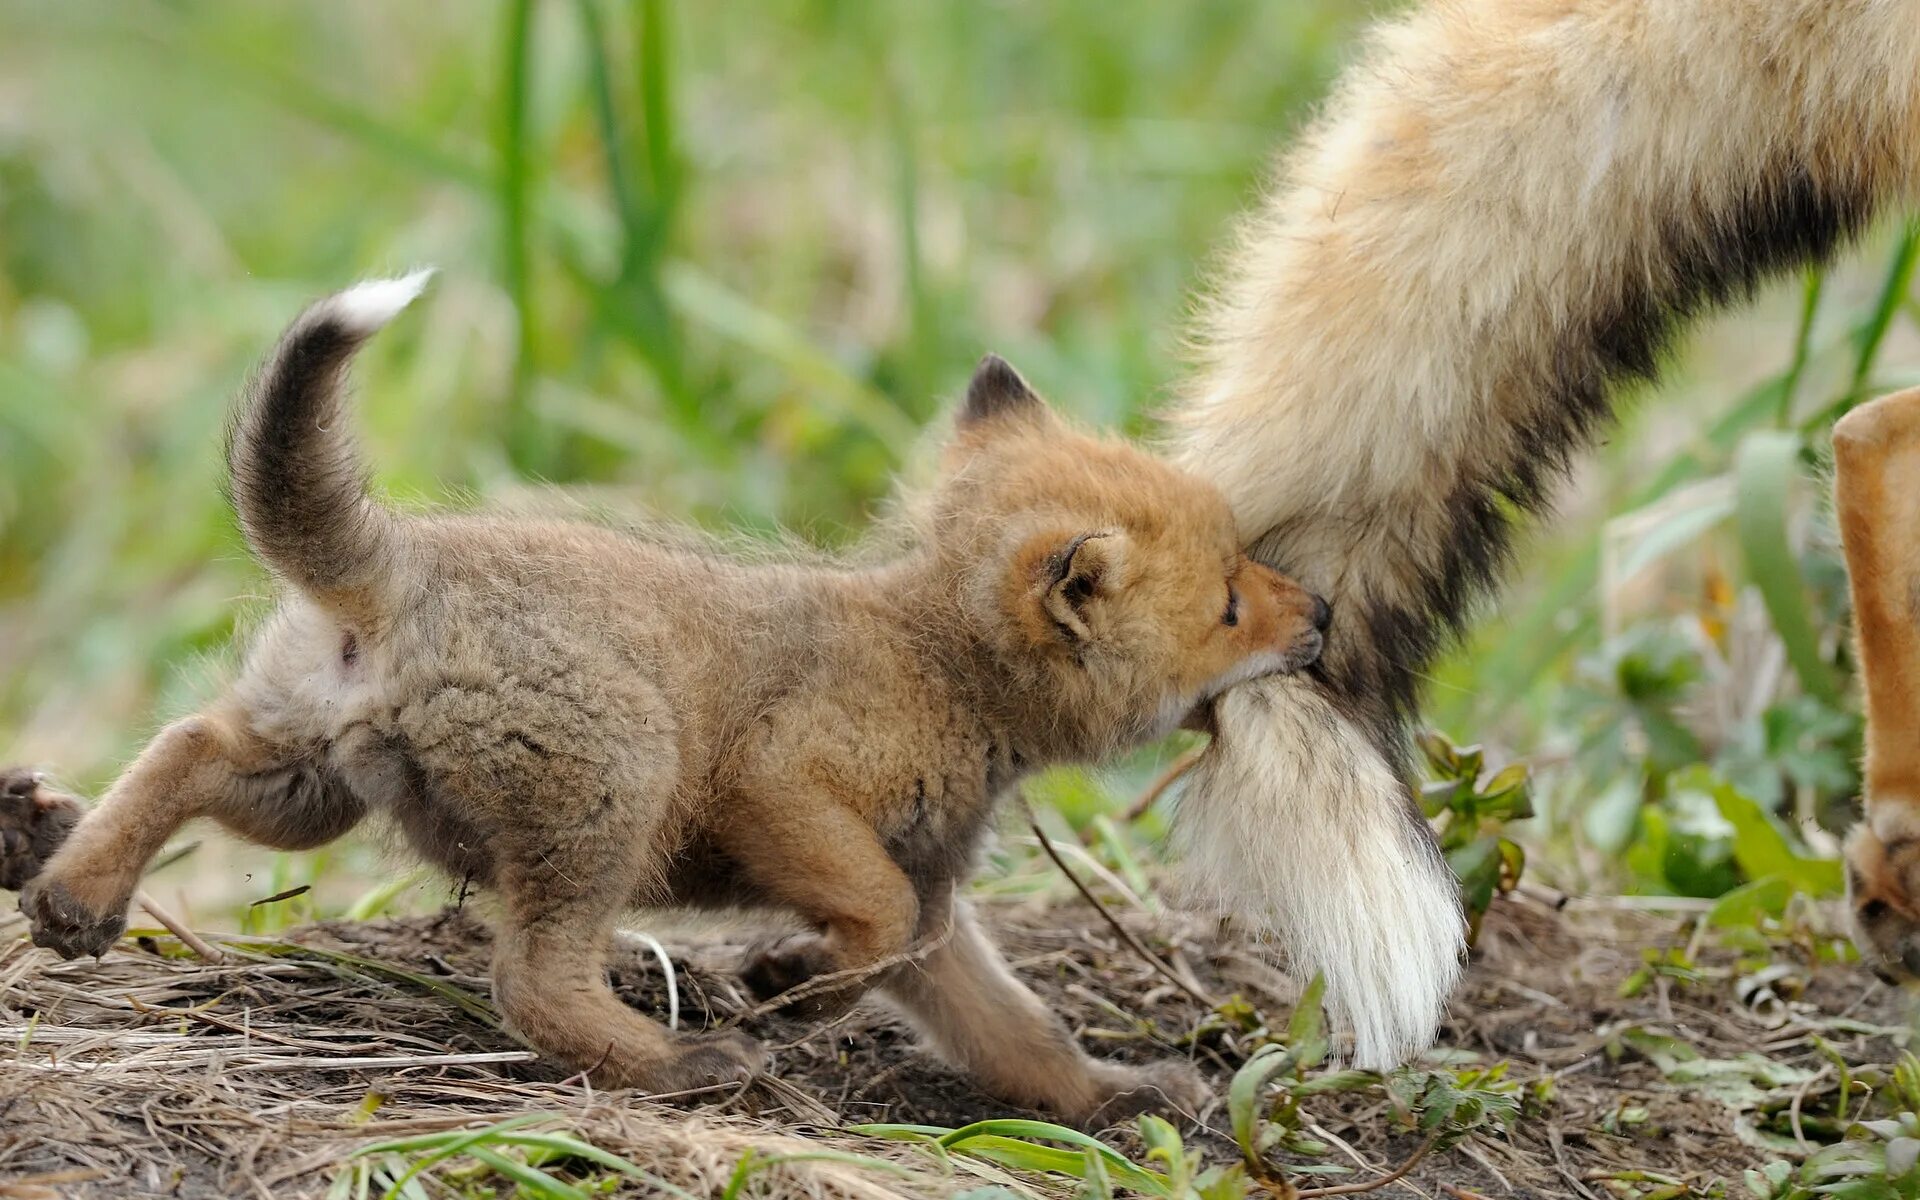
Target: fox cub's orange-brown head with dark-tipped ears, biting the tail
[1111,585]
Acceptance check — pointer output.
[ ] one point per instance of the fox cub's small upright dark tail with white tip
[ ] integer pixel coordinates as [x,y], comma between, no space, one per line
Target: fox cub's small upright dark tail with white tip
[297,475]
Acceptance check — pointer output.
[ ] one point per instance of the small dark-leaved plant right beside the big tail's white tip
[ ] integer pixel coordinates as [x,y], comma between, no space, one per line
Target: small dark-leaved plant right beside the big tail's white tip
[1472,819]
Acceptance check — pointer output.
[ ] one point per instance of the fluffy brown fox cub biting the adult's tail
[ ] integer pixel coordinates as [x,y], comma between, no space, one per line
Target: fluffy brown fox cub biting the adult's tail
[588,721]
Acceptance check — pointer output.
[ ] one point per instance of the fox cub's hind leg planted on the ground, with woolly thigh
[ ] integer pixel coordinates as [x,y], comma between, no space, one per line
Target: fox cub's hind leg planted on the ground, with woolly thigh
[569,788]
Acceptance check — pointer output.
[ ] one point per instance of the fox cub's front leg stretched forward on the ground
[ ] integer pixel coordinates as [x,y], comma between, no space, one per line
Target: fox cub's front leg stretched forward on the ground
[988,1024]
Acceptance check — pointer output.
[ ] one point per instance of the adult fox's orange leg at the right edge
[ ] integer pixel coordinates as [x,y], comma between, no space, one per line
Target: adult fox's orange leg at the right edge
[1877,496]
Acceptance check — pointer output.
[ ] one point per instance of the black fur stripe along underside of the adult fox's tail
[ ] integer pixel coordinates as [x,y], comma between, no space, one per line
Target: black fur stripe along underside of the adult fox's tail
[1725,256]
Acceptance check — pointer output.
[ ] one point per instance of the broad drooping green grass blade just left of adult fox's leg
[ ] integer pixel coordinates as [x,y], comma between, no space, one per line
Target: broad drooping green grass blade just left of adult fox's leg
[1764,477]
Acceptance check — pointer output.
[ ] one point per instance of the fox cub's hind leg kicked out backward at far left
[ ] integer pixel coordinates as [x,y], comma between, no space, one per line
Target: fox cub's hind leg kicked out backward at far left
[206,765]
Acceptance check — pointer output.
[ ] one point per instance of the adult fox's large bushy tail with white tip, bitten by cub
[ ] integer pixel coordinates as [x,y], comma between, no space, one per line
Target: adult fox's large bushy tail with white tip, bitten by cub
[1500,220]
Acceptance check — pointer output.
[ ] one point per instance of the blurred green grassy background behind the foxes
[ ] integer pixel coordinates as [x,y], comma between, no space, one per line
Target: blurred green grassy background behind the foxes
[723,262]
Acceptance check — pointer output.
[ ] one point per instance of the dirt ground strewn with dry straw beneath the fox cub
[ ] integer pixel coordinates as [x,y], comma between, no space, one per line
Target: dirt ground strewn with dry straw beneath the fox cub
[155,1074]
